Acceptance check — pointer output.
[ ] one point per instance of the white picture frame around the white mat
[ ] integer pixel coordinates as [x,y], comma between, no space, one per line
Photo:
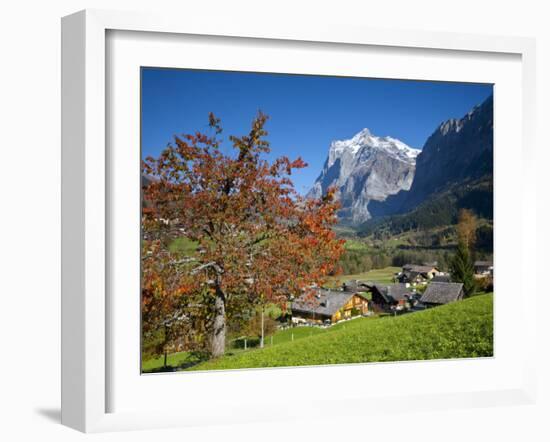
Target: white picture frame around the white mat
[85,201]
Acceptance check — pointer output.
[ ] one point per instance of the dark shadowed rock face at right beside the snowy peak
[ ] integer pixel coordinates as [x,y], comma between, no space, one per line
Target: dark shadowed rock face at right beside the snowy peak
[459,150]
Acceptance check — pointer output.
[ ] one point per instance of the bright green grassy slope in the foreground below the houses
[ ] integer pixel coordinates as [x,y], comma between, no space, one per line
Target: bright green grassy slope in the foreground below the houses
[462,329]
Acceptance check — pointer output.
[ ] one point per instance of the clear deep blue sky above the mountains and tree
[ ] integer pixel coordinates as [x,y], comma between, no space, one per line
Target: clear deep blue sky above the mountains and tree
[306,112]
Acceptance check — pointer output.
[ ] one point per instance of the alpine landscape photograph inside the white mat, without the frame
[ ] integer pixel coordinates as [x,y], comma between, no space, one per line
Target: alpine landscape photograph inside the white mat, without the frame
[305,220]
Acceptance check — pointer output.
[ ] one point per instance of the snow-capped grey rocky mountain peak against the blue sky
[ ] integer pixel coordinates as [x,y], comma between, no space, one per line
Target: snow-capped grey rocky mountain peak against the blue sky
[365,168]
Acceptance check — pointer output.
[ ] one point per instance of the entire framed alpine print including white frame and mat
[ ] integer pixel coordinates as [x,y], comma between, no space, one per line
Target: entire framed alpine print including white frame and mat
[260,214]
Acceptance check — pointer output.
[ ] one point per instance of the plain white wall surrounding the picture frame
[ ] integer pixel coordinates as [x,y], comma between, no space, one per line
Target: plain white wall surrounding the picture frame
[30,214]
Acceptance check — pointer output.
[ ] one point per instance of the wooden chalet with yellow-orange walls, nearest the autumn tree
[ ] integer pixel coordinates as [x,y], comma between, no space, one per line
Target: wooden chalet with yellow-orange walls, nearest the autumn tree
[328,305]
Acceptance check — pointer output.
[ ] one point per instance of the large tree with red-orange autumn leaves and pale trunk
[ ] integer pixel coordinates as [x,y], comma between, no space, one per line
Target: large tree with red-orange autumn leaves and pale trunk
[255,236]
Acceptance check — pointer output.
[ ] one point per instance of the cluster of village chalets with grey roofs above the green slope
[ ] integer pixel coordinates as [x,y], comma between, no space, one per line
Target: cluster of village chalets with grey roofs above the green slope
[415,288]
